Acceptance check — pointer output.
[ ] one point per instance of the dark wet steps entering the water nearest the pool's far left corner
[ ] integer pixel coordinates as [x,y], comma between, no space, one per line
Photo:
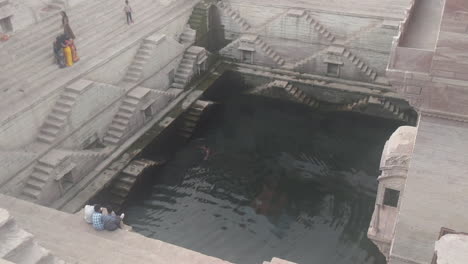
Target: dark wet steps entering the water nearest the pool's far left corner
[191,117]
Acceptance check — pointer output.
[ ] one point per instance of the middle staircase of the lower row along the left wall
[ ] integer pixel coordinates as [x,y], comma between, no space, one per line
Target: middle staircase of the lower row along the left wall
[120,122]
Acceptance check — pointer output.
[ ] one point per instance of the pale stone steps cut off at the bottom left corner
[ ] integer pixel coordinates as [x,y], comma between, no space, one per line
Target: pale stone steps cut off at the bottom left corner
[19,246]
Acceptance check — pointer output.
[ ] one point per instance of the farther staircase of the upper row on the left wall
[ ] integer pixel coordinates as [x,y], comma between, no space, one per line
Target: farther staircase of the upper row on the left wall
[135,70]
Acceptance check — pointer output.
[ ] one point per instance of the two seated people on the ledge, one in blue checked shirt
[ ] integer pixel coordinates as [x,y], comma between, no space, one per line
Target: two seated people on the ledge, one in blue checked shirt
[104,218]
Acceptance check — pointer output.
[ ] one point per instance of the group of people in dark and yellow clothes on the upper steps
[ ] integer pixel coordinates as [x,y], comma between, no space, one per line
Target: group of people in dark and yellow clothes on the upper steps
[64,46]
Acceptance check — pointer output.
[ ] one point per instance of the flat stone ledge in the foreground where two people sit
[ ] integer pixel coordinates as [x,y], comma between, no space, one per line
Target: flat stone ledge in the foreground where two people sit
[71,239]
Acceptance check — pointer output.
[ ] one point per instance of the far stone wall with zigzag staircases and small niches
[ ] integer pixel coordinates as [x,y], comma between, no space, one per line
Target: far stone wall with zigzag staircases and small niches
[296,36]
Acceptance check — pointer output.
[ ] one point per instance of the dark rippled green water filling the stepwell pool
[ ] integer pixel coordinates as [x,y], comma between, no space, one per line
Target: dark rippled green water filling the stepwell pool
[279,181]
